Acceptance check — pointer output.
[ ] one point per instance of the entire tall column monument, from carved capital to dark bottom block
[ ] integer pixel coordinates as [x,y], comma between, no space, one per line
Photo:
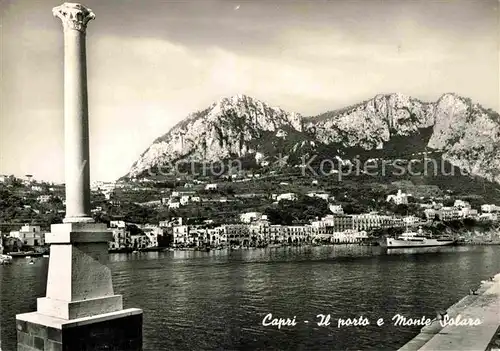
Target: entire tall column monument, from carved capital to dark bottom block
[80,310]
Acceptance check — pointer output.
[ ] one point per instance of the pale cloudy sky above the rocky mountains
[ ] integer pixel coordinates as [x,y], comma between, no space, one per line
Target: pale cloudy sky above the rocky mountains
[152,62]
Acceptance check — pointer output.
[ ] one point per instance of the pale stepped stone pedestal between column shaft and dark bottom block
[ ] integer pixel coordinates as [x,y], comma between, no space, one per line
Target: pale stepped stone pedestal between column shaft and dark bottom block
[79,282]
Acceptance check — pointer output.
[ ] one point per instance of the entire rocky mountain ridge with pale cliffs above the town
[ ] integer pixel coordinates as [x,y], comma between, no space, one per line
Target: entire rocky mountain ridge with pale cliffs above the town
[465,134]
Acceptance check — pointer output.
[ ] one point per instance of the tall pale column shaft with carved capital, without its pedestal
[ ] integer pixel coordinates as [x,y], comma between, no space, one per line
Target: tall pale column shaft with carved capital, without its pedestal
[74,19]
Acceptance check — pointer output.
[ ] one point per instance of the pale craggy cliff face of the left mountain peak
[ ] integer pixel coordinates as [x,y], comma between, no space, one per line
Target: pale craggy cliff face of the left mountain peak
[230,127]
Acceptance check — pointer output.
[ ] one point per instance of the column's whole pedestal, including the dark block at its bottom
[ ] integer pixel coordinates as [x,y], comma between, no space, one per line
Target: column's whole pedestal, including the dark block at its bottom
[80,310]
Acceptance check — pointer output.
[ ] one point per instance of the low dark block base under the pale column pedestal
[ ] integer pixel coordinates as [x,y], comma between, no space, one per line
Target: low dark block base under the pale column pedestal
[120,330]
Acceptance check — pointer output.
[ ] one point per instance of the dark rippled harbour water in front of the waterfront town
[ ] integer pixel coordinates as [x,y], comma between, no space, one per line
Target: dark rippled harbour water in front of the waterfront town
[217,300]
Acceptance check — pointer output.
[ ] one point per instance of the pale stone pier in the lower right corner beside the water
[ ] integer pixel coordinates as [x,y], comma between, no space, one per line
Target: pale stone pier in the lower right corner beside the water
[483,304]
